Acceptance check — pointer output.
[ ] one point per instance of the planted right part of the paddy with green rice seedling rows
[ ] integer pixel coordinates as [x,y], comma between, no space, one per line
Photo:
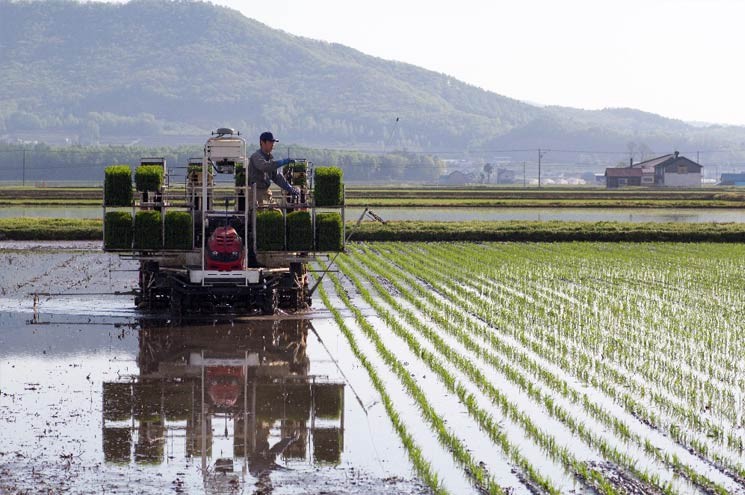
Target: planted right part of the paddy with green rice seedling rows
[560,323]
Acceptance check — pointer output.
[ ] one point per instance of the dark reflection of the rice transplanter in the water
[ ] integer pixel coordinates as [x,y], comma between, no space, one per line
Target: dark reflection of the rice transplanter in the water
[228,394]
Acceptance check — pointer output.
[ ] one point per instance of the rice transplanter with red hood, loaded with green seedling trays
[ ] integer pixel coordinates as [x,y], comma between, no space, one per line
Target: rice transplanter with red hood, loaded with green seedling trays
[206,245]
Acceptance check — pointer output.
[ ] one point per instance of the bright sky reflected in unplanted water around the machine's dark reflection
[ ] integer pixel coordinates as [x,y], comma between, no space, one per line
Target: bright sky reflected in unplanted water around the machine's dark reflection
[52,376]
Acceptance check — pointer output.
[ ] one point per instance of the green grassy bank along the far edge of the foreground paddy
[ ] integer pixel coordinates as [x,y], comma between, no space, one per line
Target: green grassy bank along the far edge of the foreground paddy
[90,229]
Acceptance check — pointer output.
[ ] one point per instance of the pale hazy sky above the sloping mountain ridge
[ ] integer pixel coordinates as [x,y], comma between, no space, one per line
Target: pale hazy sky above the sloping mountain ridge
[683,59]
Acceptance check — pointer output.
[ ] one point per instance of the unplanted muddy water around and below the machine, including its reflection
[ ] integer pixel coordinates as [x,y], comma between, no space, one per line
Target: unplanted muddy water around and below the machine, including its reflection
[95,398]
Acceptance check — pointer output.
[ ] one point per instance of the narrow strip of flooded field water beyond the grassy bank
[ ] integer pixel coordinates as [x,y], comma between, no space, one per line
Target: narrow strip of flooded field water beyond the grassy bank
[459,214]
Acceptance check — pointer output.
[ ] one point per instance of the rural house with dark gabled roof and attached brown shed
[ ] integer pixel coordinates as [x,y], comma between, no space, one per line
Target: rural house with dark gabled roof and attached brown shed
[670,170]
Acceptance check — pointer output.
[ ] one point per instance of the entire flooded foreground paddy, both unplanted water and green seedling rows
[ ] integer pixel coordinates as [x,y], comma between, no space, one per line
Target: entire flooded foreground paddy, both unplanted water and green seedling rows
[423,368]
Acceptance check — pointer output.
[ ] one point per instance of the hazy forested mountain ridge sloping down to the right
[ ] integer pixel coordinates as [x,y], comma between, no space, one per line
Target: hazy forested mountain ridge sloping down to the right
[161,70]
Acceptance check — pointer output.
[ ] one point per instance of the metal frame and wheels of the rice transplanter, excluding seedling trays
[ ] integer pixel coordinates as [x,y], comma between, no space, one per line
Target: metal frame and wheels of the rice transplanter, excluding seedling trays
[180,279]
